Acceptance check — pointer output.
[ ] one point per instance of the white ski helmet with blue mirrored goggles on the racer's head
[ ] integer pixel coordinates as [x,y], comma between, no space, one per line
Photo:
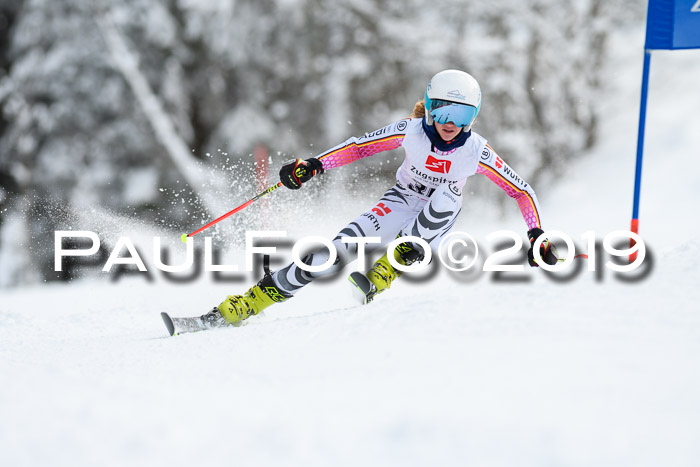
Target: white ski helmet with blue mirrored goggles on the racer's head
[452,96]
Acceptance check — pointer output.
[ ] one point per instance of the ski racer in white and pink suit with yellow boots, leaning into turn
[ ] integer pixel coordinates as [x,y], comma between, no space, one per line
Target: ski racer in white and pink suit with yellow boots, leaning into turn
[441,153]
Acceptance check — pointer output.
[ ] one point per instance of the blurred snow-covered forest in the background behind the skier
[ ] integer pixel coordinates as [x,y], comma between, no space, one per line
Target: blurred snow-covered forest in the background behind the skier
[110,104]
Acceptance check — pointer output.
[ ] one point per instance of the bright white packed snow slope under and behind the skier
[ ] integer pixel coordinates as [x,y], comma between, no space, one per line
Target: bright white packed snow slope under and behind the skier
[458,369]
